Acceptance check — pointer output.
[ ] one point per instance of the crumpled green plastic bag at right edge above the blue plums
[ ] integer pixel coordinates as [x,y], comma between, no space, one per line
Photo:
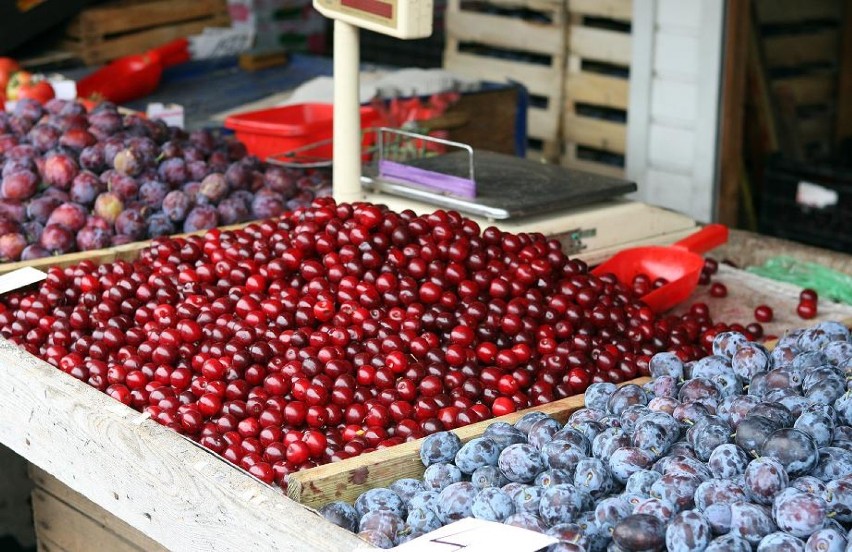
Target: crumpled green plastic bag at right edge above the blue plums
[830,284]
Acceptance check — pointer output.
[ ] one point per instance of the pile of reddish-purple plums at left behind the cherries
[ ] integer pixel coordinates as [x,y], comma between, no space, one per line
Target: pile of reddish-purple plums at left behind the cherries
[73,180]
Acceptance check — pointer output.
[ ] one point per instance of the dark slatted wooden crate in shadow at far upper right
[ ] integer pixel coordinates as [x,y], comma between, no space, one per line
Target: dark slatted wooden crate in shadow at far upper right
[799,45]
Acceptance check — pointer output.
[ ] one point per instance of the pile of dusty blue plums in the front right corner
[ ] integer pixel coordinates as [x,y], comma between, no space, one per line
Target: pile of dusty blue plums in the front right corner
[742,450]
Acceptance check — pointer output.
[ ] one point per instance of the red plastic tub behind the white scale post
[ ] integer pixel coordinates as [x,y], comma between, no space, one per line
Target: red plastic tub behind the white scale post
[283,129]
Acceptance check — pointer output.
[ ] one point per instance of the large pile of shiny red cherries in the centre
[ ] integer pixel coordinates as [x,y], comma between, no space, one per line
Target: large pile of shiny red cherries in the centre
[338,329]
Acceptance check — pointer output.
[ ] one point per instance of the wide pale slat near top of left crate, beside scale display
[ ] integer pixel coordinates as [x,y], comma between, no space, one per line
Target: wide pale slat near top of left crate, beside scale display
[506,32]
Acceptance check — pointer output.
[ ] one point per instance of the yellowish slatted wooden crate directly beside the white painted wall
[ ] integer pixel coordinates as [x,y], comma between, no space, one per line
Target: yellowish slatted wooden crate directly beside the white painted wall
[596,85]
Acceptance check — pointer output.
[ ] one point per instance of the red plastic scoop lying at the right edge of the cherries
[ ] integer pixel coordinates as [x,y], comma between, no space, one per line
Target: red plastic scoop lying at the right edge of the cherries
[679,263]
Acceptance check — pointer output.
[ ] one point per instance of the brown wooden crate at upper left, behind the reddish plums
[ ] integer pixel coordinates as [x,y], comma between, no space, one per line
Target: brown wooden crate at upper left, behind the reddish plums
[108,31]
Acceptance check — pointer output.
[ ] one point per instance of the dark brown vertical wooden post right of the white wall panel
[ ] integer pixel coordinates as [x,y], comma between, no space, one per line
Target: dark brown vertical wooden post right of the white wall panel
[737,25]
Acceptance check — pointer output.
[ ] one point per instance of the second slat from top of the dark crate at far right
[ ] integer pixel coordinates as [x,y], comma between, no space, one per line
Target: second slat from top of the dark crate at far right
[818,47]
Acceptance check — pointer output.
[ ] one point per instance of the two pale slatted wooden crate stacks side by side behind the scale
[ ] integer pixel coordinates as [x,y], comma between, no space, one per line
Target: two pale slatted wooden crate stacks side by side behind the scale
[572,55]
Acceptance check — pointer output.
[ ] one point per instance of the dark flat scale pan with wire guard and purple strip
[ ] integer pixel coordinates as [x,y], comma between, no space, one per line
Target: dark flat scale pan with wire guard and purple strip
[483,183]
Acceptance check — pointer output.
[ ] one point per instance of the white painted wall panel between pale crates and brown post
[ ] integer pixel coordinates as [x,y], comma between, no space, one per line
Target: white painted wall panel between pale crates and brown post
[675,88]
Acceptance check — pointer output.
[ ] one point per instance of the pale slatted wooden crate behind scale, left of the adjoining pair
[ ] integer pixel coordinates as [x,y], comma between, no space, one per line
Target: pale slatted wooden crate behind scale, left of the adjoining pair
[481,45]
